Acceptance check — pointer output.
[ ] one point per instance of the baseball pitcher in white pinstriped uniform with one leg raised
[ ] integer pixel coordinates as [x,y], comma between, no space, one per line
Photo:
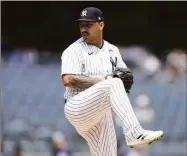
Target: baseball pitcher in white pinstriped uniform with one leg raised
[97,82]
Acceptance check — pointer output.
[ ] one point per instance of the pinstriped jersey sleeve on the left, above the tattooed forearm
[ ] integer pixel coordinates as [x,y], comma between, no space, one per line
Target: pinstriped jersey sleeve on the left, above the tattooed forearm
[71,62]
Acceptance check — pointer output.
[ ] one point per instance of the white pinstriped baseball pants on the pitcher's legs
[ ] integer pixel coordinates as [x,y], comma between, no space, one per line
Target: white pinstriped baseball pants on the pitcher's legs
[90,112]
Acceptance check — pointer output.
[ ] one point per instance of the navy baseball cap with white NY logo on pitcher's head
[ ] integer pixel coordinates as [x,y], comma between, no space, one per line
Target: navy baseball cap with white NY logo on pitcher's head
[91,14]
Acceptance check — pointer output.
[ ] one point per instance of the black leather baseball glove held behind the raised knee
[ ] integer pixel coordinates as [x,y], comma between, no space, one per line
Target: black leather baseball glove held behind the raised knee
[126,76]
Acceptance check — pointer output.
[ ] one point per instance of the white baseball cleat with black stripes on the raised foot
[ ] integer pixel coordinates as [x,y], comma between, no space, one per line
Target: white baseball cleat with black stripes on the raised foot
[147,138]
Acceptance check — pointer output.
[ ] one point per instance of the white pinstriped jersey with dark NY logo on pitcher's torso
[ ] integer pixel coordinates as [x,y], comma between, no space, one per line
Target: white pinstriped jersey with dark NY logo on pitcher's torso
[84,59]
